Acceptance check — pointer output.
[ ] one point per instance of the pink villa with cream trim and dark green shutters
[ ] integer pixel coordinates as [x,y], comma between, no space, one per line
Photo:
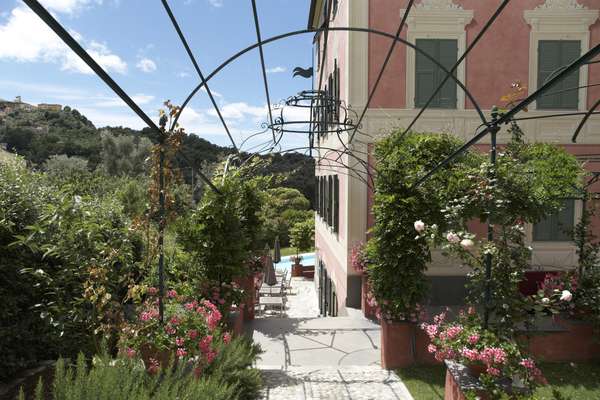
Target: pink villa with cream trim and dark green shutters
[529,40]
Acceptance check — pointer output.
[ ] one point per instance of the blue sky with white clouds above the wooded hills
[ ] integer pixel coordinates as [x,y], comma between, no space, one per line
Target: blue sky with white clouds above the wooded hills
[136,43]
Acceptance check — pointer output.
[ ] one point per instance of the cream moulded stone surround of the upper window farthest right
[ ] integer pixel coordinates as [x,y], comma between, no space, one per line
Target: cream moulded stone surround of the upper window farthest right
[559,20]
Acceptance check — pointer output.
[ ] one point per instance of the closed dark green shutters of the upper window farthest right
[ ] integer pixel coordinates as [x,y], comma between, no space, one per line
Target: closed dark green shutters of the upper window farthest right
[552,56]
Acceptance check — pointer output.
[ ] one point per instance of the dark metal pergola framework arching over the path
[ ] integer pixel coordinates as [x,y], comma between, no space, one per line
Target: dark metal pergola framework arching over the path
[492,127]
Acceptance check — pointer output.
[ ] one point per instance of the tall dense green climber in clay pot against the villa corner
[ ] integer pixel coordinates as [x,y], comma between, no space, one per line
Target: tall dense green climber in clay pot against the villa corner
[397,260]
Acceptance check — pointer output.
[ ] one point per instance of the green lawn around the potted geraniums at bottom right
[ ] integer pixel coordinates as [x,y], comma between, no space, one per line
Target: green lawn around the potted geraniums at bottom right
[566,382]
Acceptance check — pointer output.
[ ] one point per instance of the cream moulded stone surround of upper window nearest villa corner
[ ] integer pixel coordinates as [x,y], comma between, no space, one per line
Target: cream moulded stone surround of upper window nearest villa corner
[436,19]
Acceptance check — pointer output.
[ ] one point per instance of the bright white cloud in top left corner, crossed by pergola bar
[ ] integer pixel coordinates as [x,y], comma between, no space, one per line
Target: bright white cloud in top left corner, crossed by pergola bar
[25,38]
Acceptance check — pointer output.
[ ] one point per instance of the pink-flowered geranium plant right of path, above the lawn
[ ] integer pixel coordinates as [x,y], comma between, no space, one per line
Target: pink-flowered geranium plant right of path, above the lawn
[465,341]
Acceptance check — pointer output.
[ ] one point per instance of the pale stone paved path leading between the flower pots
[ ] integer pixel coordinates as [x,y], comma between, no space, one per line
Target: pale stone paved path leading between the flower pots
[307,357]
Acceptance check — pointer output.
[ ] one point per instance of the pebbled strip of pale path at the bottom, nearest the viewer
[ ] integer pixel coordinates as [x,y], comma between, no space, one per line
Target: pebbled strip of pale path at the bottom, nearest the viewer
[333,383]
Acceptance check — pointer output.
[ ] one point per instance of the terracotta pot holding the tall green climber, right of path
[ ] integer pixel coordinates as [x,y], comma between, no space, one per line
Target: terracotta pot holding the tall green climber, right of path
[397,344]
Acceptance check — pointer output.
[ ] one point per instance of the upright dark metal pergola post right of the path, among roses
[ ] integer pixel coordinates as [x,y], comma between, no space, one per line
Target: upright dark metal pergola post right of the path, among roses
[490,233]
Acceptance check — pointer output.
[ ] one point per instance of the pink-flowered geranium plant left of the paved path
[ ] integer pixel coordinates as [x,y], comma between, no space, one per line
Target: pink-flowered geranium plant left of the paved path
[191,331]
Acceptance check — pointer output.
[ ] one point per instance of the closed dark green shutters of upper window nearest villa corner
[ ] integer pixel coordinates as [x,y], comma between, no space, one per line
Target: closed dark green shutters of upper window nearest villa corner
[428,75]
